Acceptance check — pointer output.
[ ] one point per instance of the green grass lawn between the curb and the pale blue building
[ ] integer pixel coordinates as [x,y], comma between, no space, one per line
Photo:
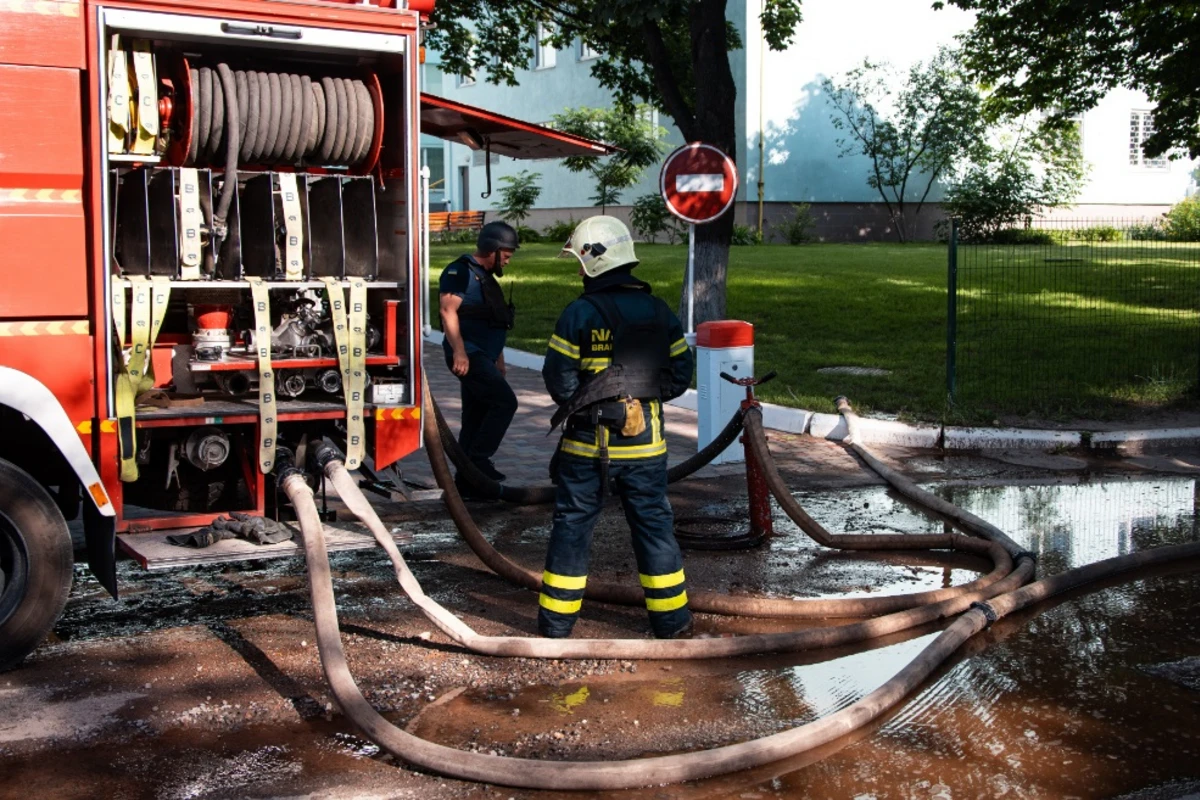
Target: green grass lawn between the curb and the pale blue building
[885,306]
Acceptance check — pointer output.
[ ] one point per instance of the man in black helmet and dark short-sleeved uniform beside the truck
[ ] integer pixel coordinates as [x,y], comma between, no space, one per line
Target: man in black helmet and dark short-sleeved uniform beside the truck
[476,321]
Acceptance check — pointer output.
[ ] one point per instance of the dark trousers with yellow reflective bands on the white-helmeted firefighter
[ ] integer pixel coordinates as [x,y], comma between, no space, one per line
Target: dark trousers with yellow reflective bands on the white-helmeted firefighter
[643,488]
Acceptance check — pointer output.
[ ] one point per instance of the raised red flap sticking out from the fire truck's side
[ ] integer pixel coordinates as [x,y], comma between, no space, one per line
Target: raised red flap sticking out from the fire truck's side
[506,136]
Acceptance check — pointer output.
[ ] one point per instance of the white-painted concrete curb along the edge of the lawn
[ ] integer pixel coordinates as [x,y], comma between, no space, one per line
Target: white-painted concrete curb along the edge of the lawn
[901,435]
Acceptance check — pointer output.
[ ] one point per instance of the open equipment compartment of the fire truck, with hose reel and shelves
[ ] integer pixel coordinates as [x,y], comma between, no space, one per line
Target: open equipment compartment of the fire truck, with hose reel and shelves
[271,153]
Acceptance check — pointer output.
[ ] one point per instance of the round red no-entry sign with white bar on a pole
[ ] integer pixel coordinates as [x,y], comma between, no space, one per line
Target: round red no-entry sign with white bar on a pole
[699,183]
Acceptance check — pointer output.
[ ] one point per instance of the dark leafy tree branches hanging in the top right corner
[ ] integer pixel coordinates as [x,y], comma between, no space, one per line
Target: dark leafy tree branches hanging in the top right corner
[1061,57]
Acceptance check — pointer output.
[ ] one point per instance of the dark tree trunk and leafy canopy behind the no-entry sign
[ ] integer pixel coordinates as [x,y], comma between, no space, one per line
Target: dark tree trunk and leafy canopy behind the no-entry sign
[671,53]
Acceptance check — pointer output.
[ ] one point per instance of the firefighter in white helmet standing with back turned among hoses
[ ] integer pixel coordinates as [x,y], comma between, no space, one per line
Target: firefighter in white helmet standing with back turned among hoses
[616,356]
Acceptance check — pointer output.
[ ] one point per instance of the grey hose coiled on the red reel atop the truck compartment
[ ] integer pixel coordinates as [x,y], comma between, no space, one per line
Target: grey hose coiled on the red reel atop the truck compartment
[272,118]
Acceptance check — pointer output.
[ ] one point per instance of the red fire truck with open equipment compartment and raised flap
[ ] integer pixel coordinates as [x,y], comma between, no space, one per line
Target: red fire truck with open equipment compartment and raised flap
[212,251]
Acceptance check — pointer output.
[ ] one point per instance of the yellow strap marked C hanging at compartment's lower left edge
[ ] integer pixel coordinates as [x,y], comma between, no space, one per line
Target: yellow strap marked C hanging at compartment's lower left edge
[151,299]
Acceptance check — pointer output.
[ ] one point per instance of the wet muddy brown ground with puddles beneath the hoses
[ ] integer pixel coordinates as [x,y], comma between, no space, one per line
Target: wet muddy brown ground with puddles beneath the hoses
[206,683]
